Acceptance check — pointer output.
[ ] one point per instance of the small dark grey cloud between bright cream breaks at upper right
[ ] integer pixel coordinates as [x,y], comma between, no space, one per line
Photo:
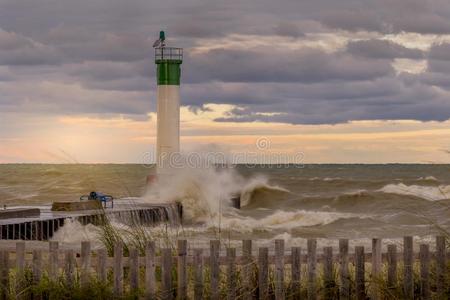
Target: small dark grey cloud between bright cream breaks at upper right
[382,49]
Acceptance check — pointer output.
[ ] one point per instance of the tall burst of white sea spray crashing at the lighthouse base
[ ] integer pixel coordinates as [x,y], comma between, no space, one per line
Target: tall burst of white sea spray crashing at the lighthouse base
[206,193]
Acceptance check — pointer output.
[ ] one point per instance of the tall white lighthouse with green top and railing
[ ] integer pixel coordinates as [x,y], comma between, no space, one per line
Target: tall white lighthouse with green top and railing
[168,72]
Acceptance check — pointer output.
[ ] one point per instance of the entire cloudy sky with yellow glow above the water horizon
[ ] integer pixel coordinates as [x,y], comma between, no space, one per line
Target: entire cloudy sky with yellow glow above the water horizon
[338,80]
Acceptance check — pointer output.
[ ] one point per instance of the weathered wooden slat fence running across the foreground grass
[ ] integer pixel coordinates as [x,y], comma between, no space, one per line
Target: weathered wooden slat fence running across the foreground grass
[287,273]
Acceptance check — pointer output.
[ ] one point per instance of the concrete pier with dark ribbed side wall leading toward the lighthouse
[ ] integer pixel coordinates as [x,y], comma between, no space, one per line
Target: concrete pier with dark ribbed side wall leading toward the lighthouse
[43,226]
